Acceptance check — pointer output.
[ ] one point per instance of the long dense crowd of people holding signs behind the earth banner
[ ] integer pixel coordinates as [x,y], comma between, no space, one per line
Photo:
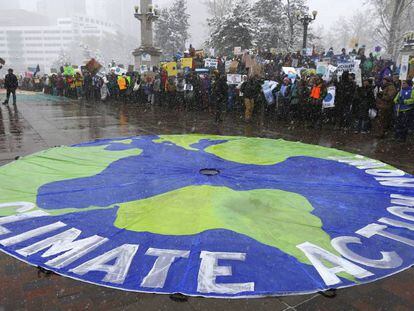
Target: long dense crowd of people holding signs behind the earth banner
[369,98]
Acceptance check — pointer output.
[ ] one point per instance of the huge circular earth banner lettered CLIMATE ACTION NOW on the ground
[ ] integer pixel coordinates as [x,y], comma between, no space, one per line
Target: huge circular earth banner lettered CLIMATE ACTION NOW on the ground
[208,215]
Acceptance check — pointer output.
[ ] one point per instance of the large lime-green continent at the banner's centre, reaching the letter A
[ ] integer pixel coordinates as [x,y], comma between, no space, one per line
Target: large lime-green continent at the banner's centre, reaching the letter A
[273,217]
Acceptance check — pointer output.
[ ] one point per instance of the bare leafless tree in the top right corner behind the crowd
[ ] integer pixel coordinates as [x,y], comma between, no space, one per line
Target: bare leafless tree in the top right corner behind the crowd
[394,17]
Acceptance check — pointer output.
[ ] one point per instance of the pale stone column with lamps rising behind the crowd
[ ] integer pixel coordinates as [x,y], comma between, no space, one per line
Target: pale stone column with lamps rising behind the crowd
[146,54]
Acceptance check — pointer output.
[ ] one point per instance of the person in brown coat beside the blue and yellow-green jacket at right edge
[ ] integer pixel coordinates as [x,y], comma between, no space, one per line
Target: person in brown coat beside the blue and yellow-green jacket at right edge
[385,104]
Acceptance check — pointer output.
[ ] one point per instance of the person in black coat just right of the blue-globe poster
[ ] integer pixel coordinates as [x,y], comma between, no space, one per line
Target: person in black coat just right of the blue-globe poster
[364,101]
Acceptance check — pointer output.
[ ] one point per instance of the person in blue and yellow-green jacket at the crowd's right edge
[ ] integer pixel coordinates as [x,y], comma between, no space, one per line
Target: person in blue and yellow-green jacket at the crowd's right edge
[404,110]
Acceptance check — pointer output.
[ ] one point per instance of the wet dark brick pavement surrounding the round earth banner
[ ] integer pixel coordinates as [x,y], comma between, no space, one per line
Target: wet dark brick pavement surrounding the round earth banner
[40,122]
